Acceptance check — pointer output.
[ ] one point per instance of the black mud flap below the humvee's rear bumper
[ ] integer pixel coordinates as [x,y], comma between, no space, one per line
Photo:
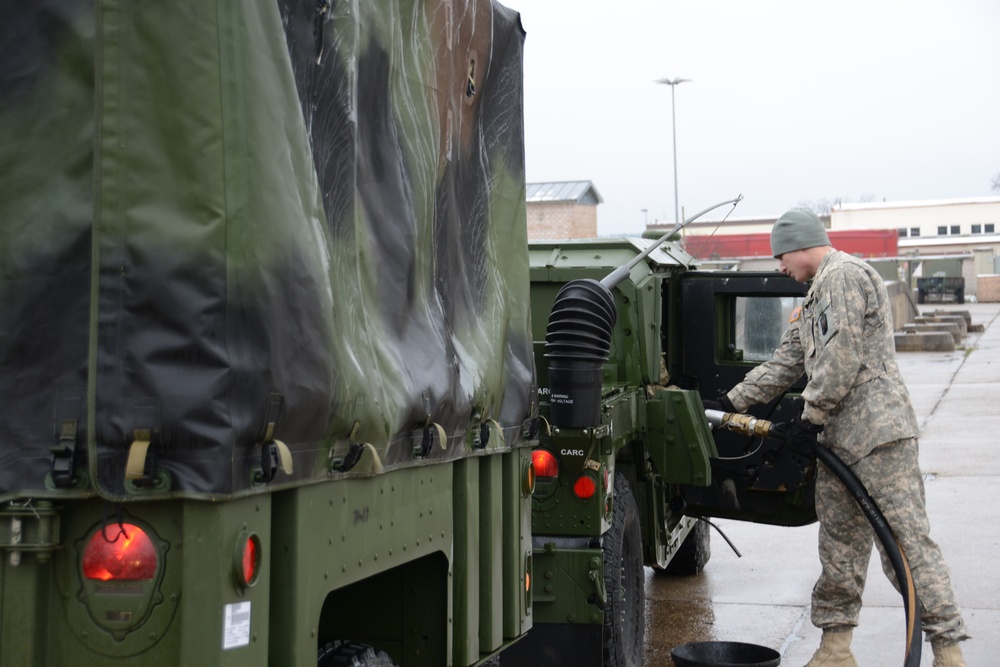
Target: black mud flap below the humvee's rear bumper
[557,645]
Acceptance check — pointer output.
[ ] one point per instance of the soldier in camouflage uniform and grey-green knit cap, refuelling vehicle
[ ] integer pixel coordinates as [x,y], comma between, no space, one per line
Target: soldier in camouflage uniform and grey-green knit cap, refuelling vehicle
[856,403]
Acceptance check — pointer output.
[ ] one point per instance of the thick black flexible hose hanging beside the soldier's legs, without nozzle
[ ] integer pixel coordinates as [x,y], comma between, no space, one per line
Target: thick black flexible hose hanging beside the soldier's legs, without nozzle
[894,552]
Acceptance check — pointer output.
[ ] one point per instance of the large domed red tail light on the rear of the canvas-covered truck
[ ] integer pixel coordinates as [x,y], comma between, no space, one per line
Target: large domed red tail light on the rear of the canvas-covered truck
[130,556]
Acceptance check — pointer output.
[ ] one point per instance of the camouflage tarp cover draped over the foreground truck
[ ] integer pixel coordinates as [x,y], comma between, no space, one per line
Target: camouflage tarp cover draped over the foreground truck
[215,215]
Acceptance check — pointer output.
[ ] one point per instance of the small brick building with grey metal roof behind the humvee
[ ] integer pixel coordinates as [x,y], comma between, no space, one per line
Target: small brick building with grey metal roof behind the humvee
[562,210]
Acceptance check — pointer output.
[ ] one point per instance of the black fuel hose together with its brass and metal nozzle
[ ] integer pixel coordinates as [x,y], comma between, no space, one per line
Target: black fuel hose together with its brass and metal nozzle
[749,425]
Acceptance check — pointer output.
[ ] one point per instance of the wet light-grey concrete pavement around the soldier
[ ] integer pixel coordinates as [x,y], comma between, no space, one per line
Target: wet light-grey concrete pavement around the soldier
[763,597]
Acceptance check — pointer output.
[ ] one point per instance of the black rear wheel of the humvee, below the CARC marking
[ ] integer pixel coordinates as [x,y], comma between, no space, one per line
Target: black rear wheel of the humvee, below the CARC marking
[624,612]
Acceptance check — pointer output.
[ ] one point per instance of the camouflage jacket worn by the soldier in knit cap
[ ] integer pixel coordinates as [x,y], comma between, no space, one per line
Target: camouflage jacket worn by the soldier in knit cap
[842,339]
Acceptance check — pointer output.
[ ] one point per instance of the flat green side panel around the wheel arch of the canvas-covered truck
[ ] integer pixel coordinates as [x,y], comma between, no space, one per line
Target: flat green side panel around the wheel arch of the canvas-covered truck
[341,533]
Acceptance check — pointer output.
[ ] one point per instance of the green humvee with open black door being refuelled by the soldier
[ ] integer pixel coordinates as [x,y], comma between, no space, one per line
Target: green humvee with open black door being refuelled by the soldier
[628,337]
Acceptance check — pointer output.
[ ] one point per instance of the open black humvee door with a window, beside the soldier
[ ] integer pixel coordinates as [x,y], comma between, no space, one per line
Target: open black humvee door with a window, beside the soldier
[727,323]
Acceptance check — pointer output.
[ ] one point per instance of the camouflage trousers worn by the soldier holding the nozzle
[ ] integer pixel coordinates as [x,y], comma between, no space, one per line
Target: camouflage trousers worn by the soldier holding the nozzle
[892,477]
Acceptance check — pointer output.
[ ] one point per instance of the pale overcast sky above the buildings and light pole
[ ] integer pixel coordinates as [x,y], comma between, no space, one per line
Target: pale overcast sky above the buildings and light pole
[790,101]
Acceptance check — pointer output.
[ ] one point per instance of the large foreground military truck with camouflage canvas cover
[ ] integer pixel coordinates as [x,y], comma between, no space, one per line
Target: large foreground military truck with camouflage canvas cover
[267,390]
